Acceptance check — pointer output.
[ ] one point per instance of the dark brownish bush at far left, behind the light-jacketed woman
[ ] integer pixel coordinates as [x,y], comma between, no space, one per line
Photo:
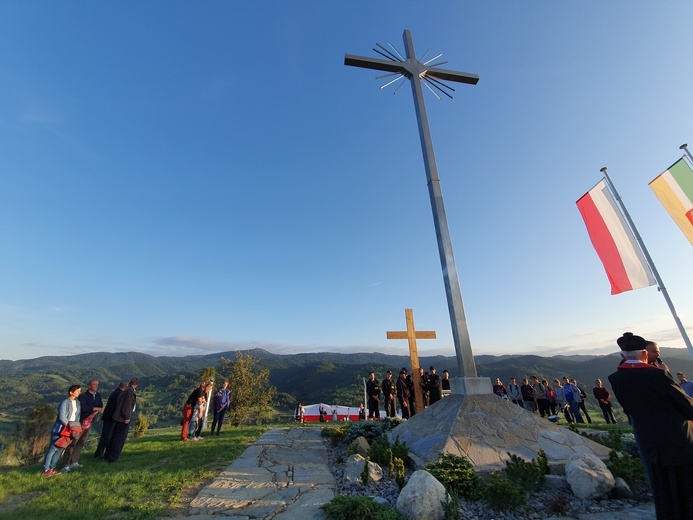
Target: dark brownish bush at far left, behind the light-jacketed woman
[31,436]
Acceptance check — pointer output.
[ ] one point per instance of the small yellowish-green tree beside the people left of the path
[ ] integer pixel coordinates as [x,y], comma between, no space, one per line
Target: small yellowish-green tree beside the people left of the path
[251,393]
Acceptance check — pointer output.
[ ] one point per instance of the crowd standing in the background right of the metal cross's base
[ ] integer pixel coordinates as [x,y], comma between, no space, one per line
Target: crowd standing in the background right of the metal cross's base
[548,399]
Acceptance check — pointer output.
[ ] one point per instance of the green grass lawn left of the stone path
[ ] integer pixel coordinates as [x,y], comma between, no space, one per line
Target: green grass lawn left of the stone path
[156,476]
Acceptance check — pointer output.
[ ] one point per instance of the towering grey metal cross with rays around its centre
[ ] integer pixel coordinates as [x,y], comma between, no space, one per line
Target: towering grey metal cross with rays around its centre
[418,72]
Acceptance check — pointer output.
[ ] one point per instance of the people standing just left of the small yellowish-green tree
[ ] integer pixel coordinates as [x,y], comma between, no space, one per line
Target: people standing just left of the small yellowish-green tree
[195,410]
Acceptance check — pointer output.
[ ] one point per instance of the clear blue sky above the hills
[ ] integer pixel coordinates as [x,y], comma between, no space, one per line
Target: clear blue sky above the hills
[192,177]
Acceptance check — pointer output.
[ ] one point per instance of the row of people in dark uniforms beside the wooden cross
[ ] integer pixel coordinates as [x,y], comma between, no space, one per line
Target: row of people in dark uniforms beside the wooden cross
[400,393]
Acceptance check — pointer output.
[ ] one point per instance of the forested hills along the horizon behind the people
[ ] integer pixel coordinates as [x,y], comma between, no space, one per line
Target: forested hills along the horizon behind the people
[308,378]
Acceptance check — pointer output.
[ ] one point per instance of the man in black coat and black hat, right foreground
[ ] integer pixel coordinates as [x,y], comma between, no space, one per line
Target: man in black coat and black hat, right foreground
[661,415]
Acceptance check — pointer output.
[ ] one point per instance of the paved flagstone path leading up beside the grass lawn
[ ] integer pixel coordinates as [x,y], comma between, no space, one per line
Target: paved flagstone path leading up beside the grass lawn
[283,476]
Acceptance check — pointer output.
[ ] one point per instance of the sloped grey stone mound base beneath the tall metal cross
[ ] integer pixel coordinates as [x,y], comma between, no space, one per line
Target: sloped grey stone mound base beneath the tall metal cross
[484,428]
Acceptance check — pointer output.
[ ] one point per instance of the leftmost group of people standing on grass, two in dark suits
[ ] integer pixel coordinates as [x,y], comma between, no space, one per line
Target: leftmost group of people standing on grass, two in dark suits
[74,421]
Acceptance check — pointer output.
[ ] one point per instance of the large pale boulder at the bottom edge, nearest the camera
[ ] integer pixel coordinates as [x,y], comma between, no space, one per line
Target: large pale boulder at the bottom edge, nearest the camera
[422,497]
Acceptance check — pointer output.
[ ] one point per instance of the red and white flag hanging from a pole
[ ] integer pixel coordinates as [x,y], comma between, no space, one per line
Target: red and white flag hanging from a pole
[614,242]
